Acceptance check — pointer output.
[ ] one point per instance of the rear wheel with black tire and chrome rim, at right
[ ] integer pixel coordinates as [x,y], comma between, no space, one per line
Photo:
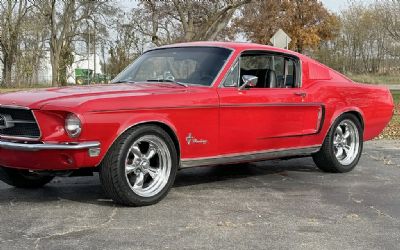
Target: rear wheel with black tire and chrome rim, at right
[342,146]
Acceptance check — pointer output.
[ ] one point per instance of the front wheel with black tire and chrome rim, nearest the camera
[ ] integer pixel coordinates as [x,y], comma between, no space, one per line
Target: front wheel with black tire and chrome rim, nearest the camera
[140,167]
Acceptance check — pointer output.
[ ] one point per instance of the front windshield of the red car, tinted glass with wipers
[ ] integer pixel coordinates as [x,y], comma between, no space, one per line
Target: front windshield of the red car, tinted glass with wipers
[186,65]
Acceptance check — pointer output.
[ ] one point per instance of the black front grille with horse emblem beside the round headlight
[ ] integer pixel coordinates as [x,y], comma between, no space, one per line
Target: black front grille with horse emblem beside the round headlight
[18,122]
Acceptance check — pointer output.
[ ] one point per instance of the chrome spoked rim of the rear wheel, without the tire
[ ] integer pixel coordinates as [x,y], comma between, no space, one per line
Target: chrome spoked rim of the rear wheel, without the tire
[346,142]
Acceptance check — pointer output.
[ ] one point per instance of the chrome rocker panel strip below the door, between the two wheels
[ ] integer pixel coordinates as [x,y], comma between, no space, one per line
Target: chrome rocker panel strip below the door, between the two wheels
[249,157]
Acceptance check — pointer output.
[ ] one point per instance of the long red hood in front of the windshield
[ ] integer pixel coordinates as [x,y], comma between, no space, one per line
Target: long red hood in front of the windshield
[71,97]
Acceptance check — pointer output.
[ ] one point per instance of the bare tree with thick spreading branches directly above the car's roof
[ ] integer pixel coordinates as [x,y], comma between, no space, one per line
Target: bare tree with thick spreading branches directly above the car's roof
[171,21]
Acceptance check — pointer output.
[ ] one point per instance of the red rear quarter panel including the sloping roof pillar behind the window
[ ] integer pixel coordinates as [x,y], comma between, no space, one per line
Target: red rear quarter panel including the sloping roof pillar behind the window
[340,95]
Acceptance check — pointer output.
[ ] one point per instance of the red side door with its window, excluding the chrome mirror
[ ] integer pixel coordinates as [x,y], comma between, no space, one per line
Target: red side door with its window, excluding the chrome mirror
[276,114]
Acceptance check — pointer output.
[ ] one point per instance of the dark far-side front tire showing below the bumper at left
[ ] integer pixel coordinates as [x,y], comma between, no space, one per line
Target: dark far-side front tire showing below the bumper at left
[23,178]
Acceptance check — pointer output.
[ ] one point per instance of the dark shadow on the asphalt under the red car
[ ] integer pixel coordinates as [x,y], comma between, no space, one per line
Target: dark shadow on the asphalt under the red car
[88,189]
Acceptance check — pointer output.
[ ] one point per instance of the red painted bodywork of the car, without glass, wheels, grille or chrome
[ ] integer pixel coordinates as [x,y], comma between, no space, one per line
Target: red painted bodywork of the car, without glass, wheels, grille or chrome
[231,120]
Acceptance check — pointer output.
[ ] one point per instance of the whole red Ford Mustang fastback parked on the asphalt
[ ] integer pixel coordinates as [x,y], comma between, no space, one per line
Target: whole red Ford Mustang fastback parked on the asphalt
[187,105]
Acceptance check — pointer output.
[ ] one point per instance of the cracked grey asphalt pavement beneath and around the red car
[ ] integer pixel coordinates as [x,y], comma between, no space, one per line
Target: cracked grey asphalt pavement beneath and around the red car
[275,204]
